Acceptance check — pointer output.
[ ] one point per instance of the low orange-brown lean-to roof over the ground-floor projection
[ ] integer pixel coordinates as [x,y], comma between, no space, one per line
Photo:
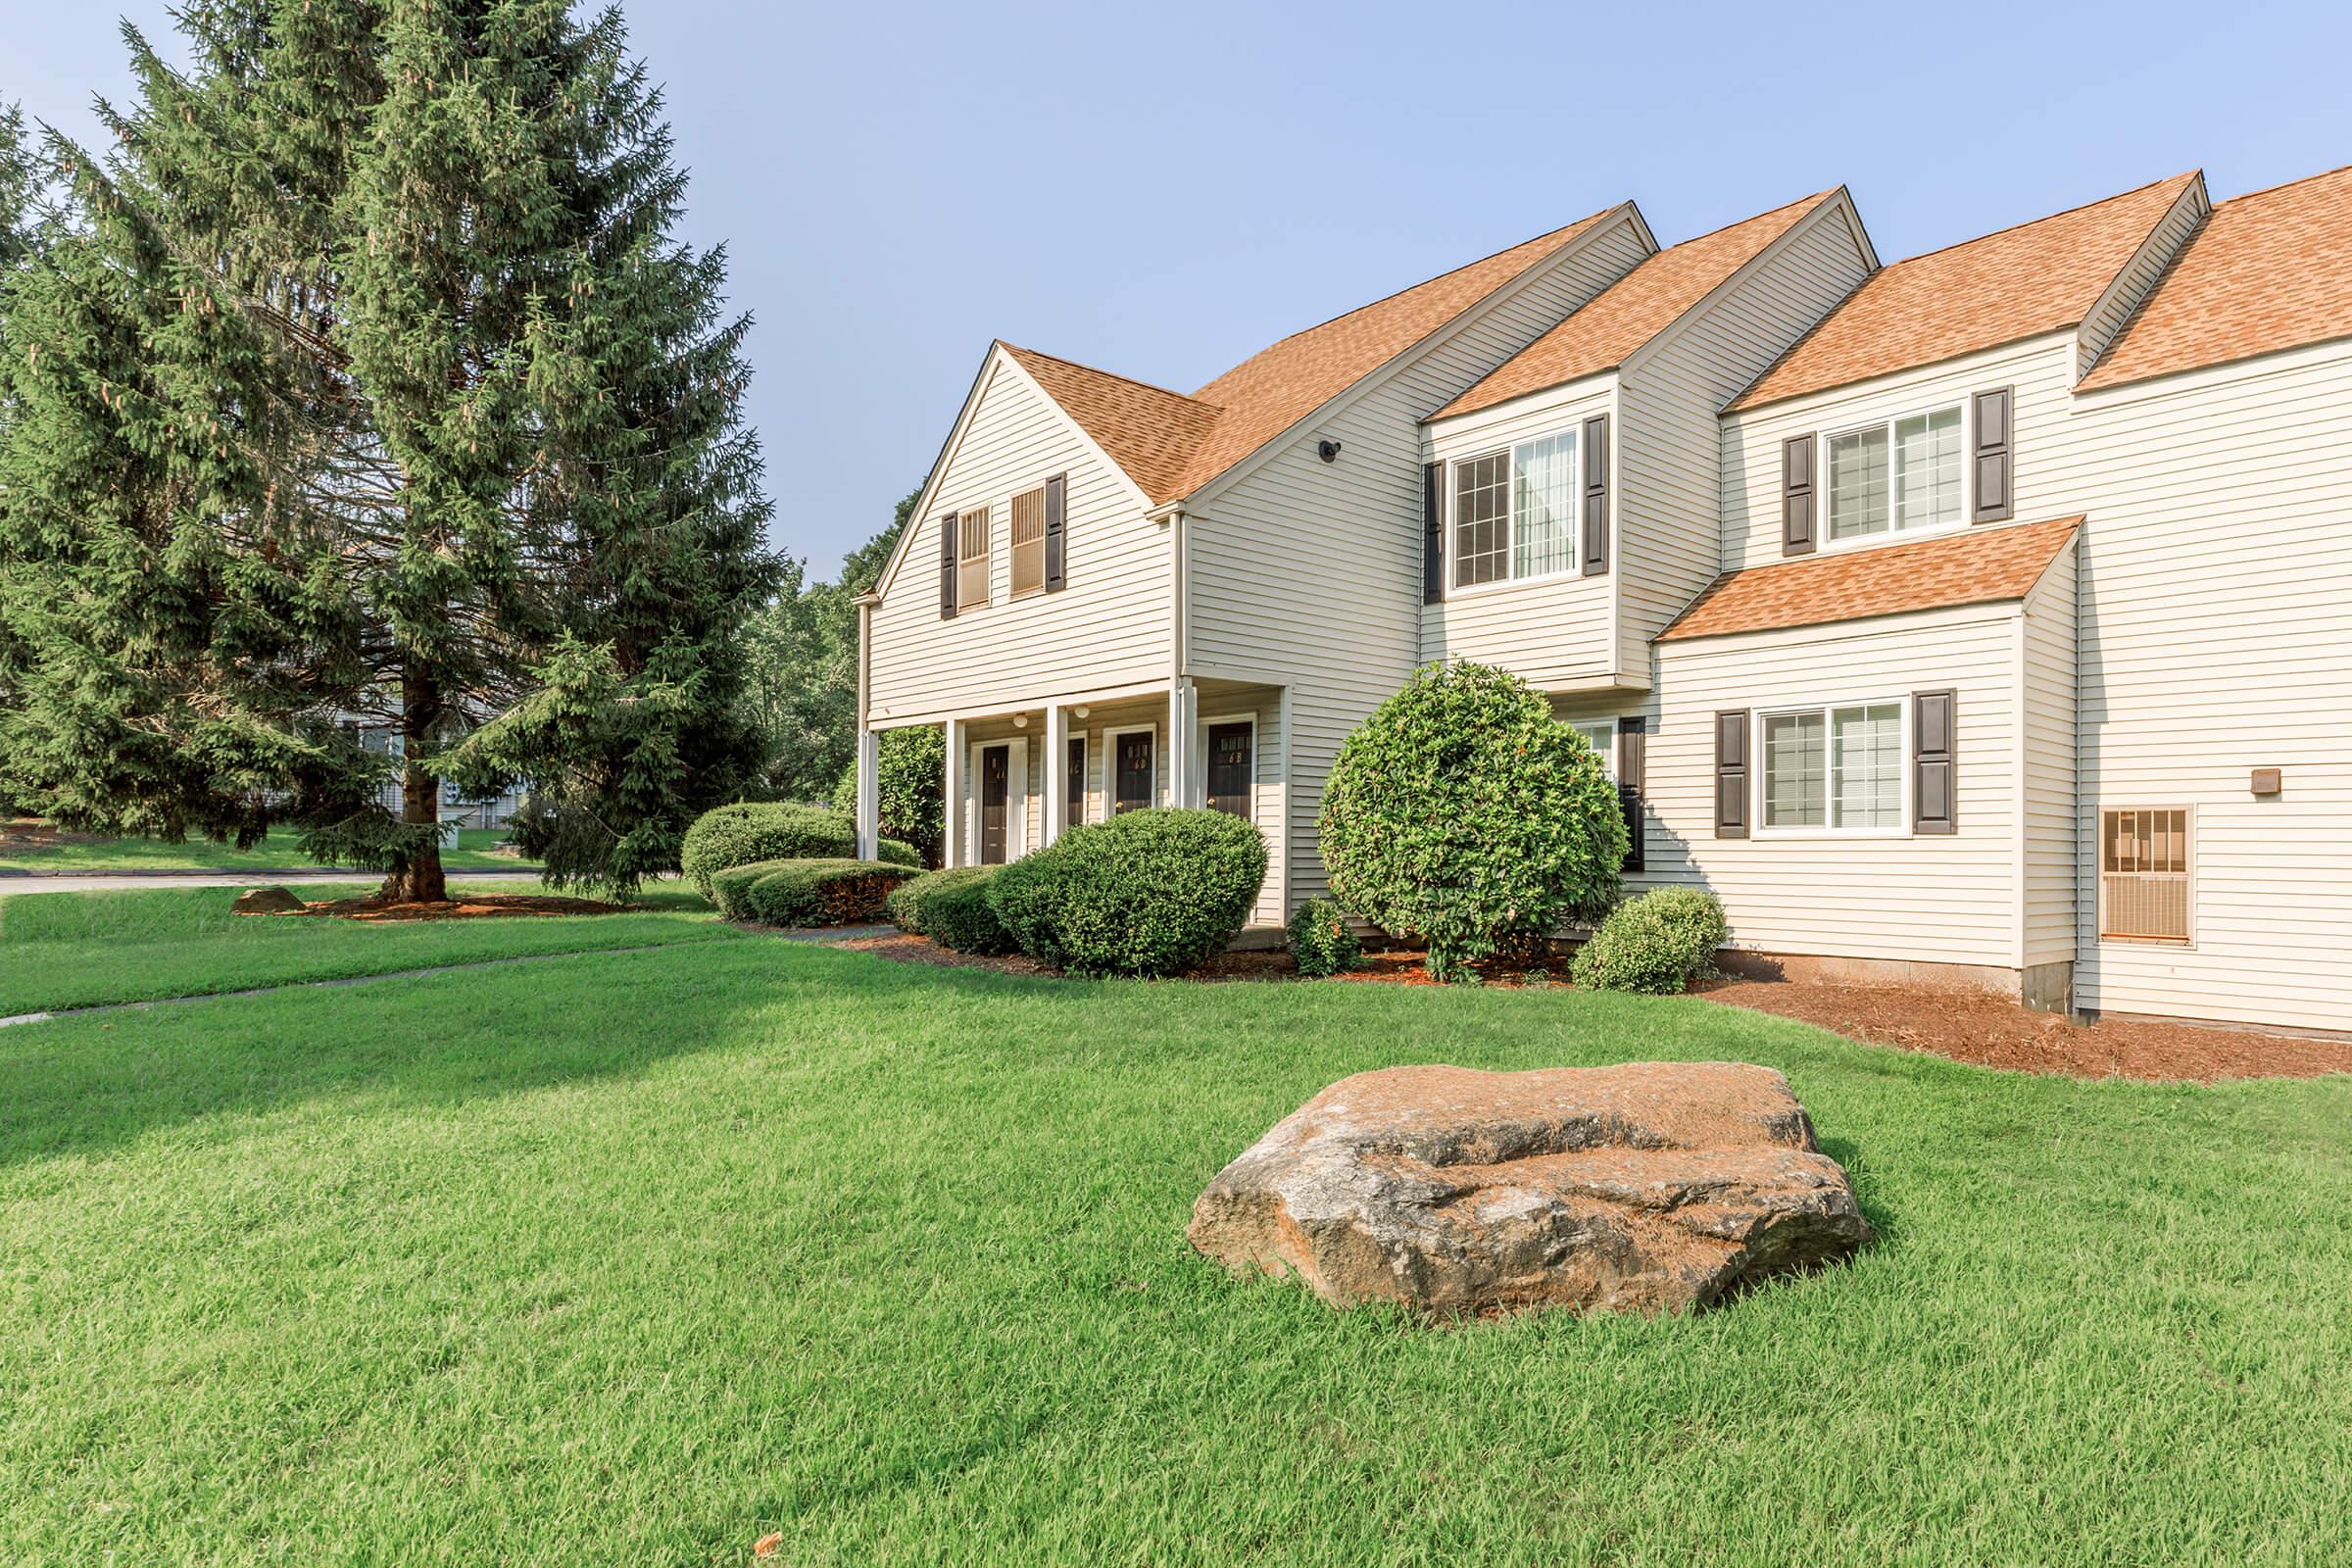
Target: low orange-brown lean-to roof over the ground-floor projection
[1975,568]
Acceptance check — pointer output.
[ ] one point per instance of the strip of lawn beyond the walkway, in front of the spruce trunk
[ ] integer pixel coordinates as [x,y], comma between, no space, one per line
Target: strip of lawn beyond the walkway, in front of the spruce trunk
[86,949]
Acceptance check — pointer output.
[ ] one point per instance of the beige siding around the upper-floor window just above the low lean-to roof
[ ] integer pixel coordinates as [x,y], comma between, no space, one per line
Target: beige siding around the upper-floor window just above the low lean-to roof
[1751,443]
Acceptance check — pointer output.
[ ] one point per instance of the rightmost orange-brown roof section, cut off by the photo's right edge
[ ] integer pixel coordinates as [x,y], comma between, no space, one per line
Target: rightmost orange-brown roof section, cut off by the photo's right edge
[2266,272]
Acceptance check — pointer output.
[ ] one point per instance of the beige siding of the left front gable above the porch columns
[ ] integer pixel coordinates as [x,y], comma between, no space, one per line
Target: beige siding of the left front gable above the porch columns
[1111,626]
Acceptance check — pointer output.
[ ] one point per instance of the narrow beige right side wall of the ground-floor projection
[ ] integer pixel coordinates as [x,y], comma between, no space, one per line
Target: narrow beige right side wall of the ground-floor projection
[2047,765]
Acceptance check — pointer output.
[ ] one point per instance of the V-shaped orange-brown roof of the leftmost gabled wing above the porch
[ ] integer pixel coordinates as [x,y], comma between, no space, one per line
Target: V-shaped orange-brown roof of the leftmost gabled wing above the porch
[1172,445]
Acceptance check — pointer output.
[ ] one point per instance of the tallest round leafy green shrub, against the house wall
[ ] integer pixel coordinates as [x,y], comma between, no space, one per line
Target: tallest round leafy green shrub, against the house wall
[1466,817]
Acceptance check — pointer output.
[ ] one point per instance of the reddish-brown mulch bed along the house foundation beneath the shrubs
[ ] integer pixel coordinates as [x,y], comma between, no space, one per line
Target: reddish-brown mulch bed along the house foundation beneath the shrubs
[1956,1024]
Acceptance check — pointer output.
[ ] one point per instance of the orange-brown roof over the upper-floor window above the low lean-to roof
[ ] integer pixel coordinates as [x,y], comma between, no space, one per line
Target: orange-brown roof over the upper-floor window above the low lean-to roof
[2012,286]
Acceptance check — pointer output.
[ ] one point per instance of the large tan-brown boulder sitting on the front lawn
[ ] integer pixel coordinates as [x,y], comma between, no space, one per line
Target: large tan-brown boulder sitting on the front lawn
[1643,1188]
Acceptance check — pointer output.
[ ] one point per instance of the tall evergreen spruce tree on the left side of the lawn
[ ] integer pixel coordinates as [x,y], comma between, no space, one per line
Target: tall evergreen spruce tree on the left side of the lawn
[375,391]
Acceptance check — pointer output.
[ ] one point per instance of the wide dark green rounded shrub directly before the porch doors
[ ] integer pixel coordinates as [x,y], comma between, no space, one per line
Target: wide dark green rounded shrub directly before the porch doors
[1144,894]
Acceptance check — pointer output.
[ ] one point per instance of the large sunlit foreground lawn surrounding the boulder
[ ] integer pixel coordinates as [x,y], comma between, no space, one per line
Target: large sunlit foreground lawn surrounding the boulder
[634,1259]
